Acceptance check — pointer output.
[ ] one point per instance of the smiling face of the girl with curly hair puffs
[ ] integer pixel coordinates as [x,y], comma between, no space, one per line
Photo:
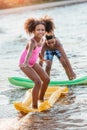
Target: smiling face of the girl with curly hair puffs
[39,31]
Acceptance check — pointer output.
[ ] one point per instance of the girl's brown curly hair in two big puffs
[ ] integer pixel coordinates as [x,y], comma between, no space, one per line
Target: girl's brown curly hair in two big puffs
[31,23]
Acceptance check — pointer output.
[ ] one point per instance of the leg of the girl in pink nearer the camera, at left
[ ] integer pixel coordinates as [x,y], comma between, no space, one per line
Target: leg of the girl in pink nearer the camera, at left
[32,74]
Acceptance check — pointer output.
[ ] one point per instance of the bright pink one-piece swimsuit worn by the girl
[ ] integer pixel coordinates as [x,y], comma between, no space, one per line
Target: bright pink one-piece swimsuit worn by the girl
[33,58]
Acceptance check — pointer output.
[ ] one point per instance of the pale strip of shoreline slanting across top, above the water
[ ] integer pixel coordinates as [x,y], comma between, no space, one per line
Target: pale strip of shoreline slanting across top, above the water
[41,6]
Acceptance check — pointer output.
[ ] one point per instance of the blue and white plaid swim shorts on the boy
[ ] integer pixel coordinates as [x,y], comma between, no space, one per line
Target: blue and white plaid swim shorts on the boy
[50,53]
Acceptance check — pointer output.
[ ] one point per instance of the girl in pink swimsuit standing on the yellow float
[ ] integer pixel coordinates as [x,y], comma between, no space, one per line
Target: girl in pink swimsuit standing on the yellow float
[28,59]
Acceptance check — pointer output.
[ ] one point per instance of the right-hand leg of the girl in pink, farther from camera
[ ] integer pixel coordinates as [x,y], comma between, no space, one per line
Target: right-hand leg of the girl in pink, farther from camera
[44,77]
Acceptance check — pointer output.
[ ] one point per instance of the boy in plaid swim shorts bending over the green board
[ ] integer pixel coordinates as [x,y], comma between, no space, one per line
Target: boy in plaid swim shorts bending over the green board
[52,47]
